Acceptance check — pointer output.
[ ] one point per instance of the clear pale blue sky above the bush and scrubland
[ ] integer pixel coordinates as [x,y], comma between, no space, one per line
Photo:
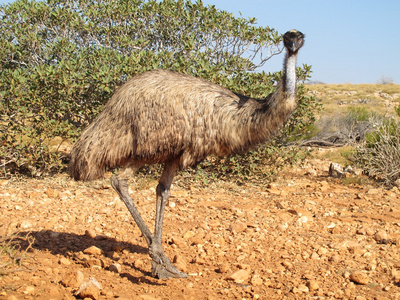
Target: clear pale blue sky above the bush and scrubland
[347,41]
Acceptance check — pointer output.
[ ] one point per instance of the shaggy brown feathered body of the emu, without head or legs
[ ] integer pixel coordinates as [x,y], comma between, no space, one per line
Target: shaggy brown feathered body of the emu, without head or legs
[160,115]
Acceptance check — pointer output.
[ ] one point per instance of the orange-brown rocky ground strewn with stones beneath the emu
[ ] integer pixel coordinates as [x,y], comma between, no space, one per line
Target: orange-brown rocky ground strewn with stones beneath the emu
[306,236]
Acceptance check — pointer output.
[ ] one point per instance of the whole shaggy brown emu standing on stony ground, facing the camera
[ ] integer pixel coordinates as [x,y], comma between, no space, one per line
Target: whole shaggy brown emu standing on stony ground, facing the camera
[177,120]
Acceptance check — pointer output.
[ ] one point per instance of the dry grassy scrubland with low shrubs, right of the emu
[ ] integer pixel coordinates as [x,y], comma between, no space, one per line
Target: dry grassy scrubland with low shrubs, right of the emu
[362,116]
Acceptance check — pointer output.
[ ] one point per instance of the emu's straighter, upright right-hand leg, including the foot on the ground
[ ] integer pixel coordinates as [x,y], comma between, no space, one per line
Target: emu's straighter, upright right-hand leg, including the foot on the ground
[161,266]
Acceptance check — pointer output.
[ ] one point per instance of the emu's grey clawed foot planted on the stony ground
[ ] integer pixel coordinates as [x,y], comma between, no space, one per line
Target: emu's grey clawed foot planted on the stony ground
[161,266]
